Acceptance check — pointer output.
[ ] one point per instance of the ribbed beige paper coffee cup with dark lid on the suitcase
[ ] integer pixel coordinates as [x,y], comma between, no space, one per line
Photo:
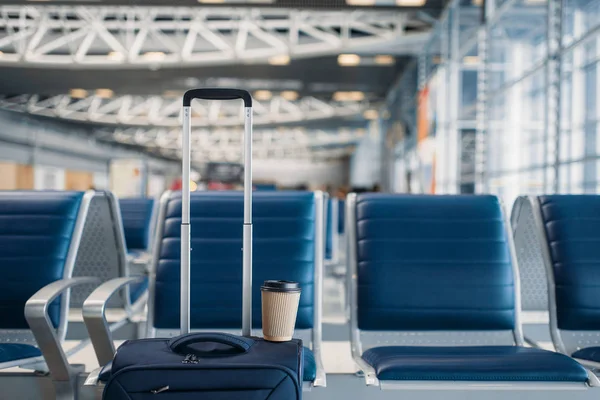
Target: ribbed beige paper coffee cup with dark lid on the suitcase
[280,301]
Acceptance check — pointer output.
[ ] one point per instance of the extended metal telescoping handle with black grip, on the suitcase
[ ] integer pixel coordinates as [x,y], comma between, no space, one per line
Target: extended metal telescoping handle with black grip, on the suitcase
[216,94]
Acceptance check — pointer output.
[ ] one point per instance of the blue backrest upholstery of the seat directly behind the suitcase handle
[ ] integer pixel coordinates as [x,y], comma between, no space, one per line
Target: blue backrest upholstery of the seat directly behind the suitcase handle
[284,247]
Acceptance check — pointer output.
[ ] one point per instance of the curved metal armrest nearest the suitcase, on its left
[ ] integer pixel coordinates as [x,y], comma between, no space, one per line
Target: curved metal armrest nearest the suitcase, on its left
[95,320]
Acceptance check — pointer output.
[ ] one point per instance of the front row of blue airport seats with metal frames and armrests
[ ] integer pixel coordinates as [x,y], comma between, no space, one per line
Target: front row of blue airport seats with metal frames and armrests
[433,281]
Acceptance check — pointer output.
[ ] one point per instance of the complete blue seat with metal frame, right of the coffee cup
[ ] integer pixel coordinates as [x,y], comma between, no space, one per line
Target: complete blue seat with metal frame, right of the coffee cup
[433,277]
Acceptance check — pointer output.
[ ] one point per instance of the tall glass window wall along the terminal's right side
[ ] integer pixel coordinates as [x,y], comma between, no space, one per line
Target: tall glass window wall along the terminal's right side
[520,154]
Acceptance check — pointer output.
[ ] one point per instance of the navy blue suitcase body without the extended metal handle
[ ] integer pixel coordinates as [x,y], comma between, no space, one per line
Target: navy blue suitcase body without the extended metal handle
[206,366]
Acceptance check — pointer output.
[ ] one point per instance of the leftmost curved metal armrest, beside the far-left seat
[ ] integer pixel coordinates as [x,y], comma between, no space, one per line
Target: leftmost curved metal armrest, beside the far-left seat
[36,313]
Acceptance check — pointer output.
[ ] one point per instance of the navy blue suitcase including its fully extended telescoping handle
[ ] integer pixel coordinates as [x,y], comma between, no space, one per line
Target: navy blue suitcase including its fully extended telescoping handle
[209,366]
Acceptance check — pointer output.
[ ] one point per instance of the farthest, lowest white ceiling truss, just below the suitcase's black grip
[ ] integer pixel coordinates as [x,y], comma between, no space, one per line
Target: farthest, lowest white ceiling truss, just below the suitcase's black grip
[226,144]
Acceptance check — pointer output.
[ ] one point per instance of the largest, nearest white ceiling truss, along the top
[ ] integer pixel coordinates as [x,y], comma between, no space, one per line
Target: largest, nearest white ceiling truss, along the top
[152,37]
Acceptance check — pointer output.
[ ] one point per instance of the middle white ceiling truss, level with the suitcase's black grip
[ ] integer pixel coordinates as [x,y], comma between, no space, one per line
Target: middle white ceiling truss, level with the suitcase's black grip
[160,111]
